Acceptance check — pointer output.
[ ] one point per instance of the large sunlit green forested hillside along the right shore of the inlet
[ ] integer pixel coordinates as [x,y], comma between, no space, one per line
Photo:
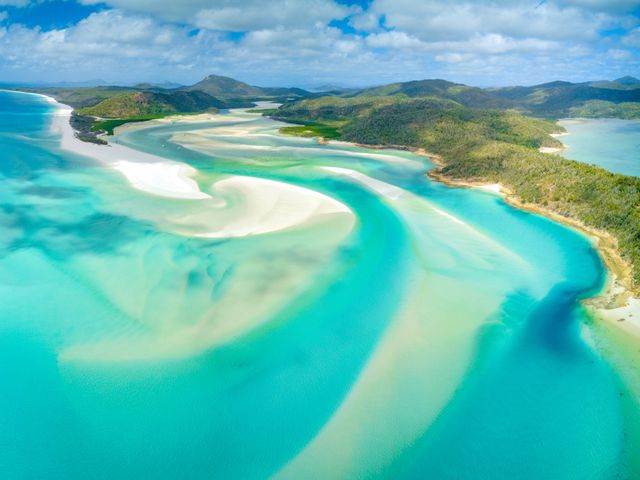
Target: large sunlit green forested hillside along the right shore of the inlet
[487,146]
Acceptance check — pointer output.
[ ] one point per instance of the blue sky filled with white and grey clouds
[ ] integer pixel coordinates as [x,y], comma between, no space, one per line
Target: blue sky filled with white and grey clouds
[309,43]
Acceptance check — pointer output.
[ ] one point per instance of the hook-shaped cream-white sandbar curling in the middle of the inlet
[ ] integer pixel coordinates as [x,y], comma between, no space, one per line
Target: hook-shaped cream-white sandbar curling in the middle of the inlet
[265,206]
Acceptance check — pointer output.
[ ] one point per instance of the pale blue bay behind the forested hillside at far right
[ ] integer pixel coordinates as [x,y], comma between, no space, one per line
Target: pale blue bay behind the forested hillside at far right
[609,143]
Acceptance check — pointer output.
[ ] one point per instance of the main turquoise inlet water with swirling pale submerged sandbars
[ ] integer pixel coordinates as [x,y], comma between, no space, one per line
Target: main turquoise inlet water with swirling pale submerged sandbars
[433,333]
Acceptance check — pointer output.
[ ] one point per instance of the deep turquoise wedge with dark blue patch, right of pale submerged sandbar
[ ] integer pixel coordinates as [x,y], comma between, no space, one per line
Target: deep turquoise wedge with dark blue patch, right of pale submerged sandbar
[543,398]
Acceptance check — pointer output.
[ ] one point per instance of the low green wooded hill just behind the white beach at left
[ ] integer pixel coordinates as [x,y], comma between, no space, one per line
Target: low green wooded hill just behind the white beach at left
[140,104]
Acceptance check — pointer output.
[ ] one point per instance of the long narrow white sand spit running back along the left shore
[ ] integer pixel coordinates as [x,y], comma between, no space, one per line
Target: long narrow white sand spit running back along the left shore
[145,172]
